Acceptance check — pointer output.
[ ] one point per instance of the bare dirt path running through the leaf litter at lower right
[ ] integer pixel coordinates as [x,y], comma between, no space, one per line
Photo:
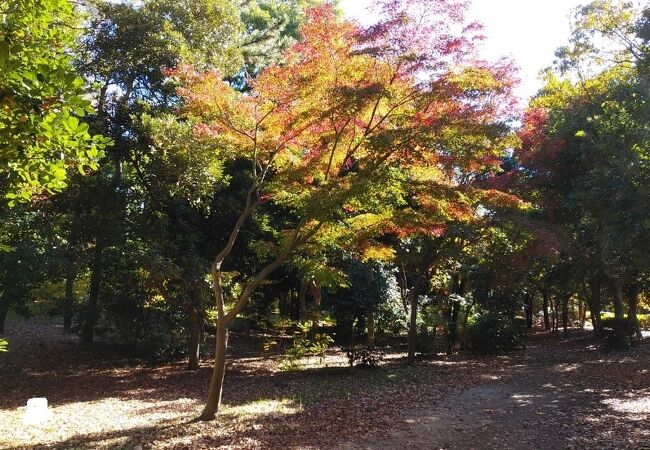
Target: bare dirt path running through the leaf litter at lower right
[559,394]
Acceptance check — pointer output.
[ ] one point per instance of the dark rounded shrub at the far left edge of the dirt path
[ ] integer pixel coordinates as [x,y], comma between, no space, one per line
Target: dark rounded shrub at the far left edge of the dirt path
[492,333]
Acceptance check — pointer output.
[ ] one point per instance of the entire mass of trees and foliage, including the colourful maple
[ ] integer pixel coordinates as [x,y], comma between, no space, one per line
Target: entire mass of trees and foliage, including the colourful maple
[175,172]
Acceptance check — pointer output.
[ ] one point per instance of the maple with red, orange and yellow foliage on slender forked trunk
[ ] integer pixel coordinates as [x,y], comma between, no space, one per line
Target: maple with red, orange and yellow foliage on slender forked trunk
[329,131]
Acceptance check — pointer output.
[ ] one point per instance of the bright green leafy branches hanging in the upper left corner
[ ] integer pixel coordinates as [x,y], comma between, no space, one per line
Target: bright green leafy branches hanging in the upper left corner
[43,101]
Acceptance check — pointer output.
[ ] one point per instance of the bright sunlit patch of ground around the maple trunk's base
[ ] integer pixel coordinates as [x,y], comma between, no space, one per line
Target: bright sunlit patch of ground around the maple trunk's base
[115,422]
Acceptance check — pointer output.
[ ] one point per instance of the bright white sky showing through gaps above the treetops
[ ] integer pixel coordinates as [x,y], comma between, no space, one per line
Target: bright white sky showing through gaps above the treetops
[528,31]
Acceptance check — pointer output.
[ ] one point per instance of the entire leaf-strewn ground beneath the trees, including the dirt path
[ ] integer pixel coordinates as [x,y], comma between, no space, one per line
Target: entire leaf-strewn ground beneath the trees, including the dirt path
[557,393]
